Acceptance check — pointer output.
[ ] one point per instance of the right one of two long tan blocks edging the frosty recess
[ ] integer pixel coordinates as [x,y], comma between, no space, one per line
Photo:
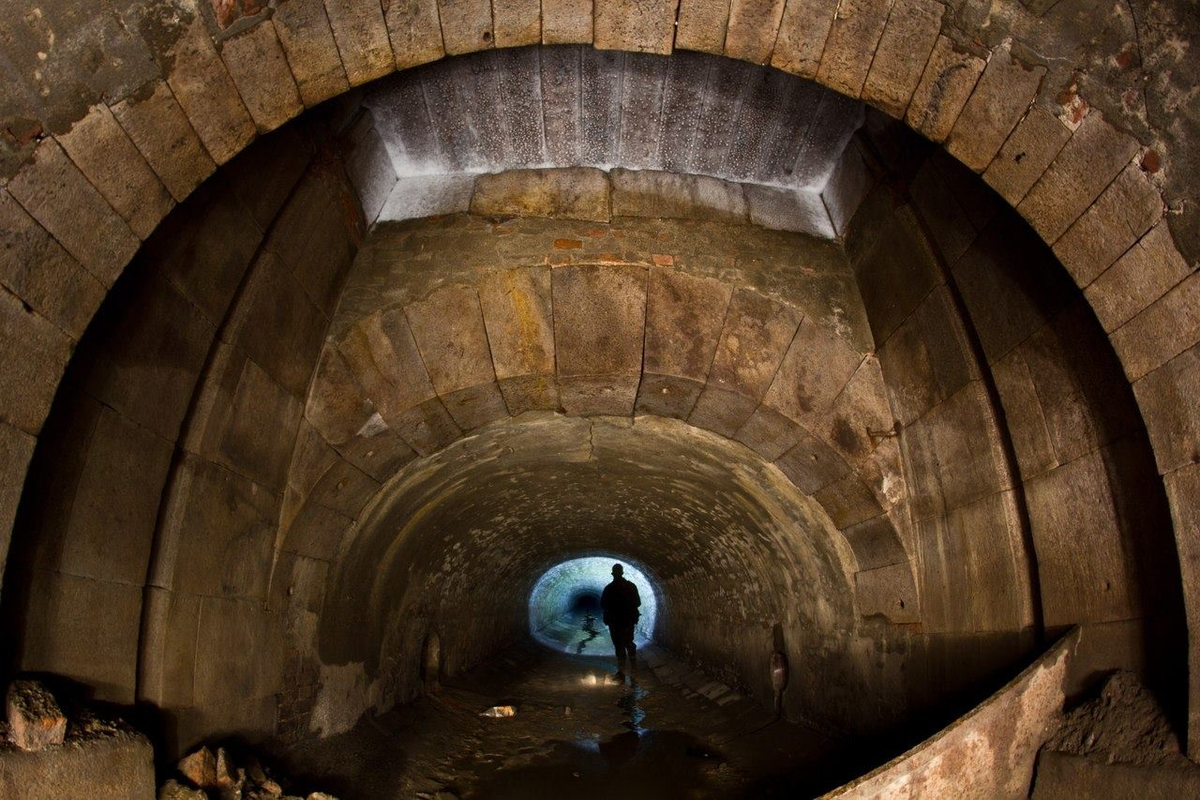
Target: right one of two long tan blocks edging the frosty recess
[661,196]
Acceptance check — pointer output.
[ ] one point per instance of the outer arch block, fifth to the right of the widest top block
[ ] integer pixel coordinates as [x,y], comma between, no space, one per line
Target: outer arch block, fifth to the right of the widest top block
[904,49]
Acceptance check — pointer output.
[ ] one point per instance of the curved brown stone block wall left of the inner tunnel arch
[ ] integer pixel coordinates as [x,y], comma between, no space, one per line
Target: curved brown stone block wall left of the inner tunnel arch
[149,528]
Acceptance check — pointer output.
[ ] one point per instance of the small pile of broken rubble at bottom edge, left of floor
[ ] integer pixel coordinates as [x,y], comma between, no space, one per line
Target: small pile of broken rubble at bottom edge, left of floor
[208,775]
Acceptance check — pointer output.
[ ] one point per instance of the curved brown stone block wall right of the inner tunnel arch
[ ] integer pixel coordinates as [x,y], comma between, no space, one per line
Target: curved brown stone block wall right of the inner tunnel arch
[985,332]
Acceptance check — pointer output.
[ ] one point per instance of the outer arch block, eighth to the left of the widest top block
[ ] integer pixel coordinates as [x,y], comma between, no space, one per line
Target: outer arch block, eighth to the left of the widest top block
[208,95]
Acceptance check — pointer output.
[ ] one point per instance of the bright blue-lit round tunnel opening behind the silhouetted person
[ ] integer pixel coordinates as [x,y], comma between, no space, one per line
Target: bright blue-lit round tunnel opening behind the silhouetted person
[565,605]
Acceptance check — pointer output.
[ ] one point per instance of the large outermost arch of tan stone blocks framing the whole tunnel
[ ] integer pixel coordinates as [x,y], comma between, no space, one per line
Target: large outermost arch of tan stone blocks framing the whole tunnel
[89,195]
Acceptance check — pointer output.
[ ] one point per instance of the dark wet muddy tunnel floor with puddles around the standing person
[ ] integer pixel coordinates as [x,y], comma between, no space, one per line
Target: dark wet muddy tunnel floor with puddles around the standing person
[577,733]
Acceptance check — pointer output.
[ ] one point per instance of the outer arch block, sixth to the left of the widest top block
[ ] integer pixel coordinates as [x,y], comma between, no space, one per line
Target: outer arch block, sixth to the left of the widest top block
[304,31]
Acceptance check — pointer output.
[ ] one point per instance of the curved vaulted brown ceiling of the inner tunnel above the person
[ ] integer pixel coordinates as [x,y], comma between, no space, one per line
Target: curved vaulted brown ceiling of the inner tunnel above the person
[471,528]
